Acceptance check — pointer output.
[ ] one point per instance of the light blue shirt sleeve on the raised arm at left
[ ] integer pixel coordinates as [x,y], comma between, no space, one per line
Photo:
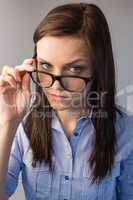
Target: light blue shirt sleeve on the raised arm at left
[15,163]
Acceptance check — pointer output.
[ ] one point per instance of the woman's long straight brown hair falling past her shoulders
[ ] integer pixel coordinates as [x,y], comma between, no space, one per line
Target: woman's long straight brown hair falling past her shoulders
[88,22]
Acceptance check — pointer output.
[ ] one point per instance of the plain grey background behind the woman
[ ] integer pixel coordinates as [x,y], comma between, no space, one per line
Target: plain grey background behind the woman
[18,20]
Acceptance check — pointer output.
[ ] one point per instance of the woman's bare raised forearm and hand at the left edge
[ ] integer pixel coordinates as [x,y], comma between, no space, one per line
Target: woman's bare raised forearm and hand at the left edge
[14,99]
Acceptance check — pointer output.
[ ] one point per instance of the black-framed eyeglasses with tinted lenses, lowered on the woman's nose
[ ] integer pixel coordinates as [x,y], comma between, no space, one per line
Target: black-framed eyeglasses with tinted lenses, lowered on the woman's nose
[69,83]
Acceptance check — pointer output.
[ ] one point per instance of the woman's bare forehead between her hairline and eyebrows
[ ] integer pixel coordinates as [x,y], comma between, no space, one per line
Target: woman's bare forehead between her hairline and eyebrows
[50,47]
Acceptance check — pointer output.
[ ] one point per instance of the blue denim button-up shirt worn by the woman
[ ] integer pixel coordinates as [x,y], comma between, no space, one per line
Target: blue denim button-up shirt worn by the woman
[70,177]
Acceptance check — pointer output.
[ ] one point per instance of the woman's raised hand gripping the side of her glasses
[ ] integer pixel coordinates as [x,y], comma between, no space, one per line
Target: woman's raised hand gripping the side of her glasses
[15,91]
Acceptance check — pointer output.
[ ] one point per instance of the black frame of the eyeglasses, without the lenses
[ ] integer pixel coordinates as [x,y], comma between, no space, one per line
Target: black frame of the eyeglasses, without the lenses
[56,77]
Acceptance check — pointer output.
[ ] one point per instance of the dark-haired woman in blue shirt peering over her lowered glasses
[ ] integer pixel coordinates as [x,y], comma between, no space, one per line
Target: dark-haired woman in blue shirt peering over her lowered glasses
[74,142]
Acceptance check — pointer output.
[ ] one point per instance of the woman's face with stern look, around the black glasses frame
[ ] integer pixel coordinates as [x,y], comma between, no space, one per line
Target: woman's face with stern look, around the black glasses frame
[54,55]
